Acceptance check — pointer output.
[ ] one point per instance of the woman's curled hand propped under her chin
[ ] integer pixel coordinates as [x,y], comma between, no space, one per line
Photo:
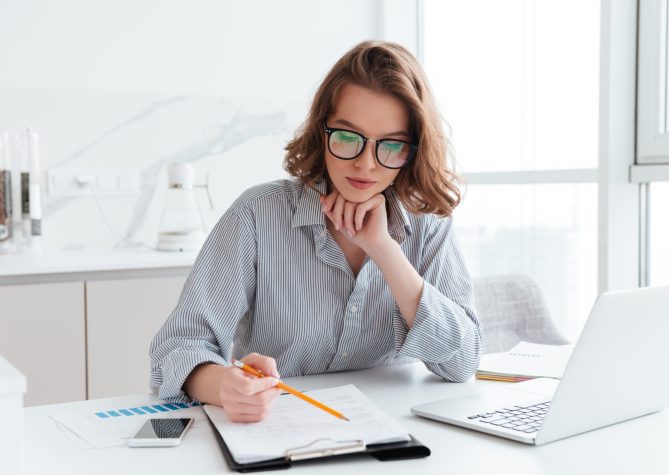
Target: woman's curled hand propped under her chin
[365,224]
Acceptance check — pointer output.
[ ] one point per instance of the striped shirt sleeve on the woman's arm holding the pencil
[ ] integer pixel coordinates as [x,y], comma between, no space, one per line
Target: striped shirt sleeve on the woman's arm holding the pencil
[216,296]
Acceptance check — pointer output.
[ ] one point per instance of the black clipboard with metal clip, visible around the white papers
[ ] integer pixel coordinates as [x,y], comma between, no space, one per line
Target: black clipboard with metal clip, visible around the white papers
[383,452]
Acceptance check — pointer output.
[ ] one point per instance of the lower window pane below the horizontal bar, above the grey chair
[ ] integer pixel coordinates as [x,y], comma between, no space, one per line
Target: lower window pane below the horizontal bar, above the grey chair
[547,231]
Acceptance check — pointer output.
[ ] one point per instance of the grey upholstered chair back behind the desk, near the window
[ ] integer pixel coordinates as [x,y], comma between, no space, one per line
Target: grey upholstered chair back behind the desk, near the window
[511,308]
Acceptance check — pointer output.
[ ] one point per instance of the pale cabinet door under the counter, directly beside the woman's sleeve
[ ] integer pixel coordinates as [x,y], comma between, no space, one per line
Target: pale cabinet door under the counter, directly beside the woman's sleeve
[122,317]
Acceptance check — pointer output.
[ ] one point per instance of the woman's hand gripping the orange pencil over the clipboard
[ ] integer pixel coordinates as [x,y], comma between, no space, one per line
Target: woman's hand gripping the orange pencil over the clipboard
[244,397]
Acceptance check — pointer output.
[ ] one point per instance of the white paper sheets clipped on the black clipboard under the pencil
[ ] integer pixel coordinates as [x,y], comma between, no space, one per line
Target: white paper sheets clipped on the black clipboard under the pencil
[295,426]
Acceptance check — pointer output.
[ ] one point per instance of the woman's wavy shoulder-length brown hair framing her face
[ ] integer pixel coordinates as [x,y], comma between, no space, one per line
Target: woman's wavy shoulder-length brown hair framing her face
[428,184]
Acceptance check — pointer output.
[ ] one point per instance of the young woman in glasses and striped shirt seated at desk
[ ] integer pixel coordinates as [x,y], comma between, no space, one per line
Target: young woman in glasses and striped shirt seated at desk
[350,264]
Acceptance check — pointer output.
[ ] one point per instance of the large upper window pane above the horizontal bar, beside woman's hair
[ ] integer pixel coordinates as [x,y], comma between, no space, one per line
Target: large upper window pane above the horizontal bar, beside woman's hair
[519,92]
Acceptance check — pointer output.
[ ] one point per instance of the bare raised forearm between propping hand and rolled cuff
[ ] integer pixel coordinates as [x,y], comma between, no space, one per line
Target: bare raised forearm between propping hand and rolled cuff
[405,283]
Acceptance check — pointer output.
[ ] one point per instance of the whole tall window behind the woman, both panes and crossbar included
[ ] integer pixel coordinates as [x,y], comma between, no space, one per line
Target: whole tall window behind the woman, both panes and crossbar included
[518,84]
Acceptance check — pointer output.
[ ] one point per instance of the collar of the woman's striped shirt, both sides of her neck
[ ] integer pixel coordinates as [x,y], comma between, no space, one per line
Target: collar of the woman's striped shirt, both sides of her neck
[309,212]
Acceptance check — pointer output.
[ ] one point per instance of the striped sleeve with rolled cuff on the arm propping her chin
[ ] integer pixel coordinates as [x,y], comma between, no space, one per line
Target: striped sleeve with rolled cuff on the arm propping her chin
[446,334]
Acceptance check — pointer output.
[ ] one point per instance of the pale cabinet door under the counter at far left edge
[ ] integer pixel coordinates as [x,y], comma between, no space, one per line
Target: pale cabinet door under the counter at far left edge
[42,334]
